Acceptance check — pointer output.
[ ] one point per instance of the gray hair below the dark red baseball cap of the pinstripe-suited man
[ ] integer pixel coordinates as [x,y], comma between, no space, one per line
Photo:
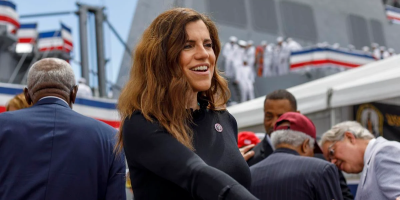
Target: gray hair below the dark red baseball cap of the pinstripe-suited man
[291,137]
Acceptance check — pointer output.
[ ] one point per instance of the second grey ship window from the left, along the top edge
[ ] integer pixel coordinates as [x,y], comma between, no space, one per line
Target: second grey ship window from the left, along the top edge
[263,16]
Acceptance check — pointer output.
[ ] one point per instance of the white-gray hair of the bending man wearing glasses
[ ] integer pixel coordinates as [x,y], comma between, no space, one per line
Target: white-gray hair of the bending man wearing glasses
[336,133]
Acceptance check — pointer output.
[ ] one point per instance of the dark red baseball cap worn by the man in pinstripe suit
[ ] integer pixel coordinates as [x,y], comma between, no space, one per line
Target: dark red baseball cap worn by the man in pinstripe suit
[300,123]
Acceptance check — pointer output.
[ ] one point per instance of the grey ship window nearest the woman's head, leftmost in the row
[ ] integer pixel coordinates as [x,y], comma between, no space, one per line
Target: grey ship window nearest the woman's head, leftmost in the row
[229,12]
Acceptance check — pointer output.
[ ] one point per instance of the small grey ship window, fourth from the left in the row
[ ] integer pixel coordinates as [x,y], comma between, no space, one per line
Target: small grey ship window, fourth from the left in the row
[358,30]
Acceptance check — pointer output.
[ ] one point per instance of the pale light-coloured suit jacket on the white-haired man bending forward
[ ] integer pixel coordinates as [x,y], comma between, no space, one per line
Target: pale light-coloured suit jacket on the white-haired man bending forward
[380,178]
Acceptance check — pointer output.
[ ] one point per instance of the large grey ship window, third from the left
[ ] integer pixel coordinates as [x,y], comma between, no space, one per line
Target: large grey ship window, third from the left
[298,21]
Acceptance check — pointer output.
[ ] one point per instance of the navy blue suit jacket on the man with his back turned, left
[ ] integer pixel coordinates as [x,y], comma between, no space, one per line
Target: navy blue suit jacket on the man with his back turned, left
[51,152]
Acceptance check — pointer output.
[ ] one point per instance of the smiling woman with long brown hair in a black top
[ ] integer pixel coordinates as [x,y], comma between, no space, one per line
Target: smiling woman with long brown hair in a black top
[179,141]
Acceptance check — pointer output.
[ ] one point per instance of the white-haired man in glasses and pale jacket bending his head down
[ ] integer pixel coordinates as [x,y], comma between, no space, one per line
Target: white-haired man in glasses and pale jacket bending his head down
[353,149]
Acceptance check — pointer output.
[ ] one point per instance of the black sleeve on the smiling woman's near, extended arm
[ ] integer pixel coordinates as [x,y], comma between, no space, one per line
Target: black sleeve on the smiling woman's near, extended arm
[151,147]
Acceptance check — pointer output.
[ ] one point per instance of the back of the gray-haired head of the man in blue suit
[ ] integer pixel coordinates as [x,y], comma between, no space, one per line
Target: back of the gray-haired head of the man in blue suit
[50,75]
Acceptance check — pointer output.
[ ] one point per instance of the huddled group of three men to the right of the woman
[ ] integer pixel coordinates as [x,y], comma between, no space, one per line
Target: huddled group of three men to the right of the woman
[289,163]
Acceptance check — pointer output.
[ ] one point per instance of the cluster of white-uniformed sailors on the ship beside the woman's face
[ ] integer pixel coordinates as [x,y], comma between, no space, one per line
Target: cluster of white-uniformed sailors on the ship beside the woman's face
[243,61]
